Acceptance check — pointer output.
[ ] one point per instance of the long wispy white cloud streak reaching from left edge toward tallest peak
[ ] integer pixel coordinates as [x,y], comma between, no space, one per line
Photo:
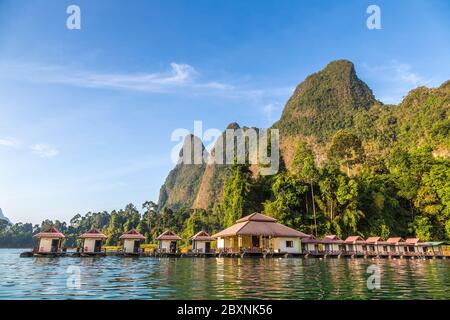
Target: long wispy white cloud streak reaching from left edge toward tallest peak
[180,78]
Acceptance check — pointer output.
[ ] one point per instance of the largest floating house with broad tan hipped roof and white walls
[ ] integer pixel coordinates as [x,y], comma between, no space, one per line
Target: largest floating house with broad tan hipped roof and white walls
[257,234]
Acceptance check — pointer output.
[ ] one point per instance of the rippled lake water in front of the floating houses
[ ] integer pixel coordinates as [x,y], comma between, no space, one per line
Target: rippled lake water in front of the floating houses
[221,278]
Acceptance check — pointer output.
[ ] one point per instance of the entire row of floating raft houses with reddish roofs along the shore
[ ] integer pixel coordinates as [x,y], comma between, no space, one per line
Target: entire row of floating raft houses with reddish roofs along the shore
[254,235]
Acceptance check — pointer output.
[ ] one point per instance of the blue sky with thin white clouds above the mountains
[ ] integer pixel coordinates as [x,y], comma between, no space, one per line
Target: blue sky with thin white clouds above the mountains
[86,115]
